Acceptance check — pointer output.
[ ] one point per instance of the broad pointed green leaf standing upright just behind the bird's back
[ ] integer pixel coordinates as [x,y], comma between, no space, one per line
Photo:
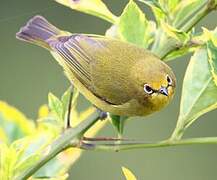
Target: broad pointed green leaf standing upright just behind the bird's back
[134,27]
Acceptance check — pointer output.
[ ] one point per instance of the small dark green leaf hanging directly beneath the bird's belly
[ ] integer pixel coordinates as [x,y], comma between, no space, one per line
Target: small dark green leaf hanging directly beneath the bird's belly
[118,122]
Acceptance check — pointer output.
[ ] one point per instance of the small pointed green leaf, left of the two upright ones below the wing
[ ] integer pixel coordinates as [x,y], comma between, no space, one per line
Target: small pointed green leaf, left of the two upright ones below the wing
[55,105]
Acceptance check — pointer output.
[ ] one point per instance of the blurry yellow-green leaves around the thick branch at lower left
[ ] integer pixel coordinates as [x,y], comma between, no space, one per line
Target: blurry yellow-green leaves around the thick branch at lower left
[24,142]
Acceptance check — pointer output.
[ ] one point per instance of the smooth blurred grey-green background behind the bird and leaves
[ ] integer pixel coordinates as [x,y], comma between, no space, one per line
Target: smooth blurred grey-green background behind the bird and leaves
[28,73]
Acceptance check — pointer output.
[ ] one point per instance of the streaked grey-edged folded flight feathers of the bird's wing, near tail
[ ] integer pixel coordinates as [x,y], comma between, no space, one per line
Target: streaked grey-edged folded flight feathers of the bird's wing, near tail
[74,57]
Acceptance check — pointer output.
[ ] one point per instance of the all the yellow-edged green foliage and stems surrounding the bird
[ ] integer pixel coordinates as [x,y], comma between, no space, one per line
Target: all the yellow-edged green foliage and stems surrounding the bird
[26,144]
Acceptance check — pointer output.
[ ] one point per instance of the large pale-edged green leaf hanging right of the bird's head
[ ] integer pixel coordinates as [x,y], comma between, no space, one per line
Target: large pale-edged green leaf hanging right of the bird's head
[199,92]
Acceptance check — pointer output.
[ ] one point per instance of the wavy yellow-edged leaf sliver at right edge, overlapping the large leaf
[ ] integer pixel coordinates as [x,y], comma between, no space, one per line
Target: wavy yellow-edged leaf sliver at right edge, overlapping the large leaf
[212,53]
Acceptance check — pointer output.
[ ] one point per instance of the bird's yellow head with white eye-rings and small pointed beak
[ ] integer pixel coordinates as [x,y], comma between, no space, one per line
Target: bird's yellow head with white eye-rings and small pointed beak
[155,86]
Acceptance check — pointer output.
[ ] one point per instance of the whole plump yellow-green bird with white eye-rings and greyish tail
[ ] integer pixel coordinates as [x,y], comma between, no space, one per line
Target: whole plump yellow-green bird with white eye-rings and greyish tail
[115,76]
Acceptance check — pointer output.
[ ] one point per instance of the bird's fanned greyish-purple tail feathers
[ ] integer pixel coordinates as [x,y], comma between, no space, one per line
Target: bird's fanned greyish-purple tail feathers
[37,31]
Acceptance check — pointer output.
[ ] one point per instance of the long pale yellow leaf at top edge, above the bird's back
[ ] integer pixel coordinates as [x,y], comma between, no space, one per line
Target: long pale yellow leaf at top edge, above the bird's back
[93,7]
